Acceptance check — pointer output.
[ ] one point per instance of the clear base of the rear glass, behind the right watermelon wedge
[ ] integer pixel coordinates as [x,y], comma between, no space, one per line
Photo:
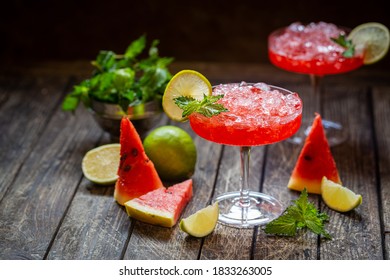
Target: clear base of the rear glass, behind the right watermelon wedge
[335,133]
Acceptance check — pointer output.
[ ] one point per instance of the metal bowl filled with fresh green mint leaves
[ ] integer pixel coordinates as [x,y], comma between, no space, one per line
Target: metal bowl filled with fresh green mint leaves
[129,84]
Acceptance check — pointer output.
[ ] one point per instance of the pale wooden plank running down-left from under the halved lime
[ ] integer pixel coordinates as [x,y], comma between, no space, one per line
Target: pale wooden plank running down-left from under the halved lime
[107,231]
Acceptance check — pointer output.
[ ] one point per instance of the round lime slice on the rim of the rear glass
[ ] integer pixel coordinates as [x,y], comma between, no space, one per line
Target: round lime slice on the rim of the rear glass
[373,38]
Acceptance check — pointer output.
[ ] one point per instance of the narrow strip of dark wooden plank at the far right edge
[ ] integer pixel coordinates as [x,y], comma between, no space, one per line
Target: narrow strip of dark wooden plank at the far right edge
[381,102]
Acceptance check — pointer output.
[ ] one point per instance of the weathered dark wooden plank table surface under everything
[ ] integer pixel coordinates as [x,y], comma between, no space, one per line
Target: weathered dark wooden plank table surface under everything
[48,210]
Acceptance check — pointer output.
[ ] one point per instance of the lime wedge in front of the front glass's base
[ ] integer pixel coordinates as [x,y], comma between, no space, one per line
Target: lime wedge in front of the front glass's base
[202,222]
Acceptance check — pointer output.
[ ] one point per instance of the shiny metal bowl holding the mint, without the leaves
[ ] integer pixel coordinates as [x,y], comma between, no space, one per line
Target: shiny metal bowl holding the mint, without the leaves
[109,116]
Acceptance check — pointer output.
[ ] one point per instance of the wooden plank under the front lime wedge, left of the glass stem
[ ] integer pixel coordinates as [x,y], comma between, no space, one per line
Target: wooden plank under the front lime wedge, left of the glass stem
[153,242]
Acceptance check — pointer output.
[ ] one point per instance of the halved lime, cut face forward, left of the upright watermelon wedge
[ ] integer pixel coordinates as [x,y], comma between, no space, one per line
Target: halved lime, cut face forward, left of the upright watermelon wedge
[100,165]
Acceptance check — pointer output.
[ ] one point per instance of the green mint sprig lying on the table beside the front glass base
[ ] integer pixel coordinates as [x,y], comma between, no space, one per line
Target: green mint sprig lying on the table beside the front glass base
[302,214]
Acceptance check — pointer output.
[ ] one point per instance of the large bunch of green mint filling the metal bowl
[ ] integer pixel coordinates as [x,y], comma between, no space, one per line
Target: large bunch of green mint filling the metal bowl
[136,76]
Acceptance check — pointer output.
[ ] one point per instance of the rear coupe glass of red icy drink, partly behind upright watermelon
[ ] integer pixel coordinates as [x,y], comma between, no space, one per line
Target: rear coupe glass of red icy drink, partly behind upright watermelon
[309,49]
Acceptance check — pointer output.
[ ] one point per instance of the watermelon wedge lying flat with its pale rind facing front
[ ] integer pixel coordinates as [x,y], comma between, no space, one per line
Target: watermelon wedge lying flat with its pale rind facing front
[162,206]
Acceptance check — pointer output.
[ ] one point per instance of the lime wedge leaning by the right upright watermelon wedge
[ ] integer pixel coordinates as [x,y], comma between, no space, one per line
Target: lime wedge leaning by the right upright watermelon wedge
[339,198]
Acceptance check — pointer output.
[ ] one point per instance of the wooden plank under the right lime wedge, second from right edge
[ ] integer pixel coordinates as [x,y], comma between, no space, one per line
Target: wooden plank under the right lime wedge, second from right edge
[356,234]
